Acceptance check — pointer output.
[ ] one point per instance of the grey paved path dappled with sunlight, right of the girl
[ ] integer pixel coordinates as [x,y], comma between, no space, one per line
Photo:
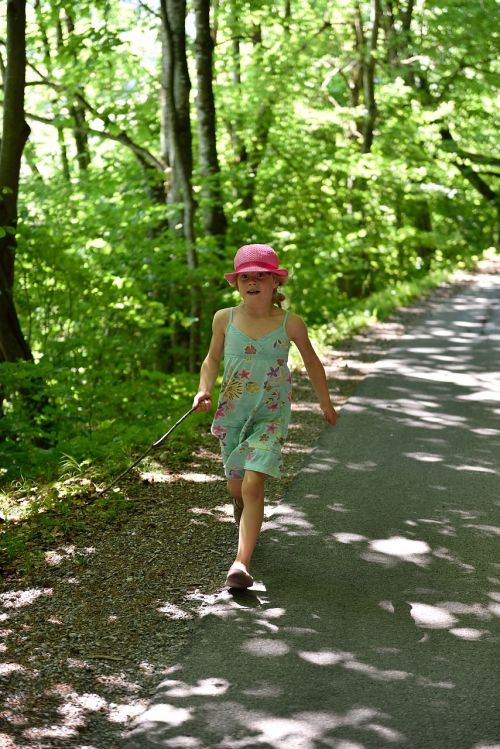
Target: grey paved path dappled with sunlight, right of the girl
[376,623]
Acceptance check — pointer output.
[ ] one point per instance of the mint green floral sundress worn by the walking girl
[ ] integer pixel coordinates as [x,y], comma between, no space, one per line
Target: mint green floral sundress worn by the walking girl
[253,412]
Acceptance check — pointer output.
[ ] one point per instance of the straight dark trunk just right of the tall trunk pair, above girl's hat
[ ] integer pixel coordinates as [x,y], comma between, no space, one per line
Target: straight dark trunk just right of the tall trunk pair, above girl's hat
[214,219]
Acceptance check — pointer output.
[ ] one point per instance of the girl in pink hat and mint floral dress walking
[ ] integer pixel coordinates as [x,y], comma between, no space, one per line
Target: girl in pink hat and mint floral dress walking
[254,406]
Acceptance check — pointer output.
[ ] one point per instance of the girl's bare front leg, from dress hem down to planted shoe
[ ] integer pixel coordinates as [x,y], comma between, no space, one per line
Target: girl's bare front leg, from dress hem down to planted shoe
[252,492]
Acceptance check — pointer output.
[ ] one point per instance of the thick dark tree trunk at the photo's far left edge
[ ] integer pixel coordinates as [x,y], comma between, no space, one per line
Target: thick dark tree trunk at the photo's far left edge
[14,135]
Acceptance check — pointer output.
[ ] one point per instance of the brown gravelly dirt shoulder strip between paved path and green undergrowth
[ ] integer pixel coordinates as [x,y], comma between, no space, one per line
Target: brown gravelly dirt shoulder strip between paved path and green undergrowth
[88,635]
